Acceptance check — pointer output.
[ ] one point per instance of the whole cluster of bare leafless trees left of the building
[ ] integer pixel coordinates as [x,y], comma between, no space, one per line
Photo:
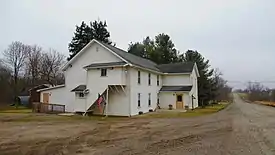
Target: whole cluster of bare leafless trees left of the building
[24,66]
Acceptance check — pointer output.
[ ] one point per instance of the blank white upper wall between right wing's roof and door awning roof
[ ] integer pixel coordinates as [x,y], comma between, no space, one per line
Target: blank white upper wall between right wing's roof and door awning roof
[176,80]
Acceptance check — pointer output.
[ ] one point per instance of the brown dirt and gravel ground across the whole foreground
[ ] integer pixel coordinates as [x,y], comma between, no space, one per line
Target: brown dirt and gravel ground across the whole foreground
[241,129]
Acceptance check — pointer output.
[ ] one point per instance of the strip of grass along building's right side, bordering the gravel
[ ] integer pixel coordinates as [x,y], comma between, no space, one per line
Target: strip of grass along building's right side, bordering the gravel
[190,113]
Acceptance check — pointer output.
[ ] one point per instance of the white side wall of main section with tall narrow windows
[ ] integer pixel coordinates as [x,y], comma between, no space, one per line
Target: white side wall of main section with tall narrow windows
[144,89]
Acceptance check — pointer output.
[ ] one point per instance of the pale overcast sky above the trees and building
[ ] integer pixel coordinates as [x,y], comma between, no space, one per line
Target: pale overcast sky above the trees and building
[237,36]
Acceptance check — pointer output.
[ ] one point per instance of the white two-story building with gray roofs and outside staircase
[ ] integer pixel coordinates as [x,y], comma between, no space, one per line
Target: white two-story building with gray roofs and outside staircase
[128,84]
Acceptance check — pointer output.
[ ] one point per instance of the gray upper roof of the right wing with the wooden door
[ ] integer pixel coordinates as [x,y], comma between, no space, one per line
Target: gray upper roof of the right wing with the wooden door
[185,67]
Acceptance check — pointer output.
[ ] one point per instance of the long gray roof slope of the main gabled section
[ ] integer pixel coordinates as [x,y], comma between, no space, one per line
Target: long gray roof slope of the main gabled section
[133,59]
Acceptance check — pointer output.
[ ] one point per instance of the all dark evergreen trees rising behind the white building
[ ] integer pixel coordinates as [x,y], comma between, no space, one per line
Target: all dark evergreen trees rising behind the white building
[161,50]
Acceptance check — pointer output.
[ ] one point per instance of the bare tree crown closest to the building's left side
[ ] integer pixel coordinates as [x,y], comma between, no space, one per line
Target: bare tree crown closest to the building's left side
[50,66]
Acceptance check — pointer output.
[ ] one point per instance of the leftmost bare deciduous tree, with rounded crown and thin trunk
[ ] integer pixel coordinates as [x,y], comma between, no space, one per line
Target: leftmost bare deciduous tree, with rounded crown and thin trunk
[15,57]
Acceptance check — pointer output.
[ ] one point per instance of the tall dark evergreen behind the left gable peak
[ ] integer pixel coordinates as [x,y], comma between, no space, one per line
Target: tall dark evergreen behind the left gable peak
[85,33]
